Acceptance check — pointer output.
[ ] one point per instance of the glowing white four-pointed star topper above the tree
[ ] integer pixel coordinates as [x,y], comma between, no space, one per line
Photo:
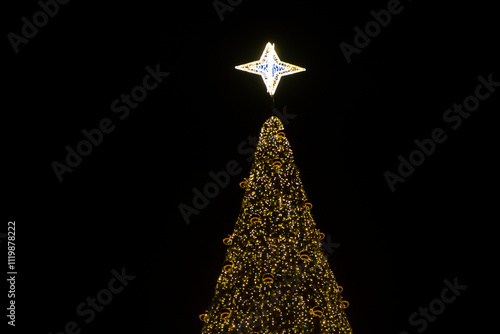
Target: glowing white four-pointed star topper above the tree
[270,68]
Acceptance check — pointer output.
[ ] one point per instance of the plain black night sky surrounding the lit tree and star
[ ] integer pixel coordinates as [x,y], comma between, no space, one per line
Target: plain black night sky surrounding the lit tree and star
[119,207]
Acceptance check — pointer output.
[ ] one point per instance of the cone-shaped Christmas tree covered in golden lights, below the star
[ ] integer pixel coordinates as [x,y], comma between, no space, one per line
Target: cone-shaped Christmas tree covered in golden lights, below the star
[275,278]
